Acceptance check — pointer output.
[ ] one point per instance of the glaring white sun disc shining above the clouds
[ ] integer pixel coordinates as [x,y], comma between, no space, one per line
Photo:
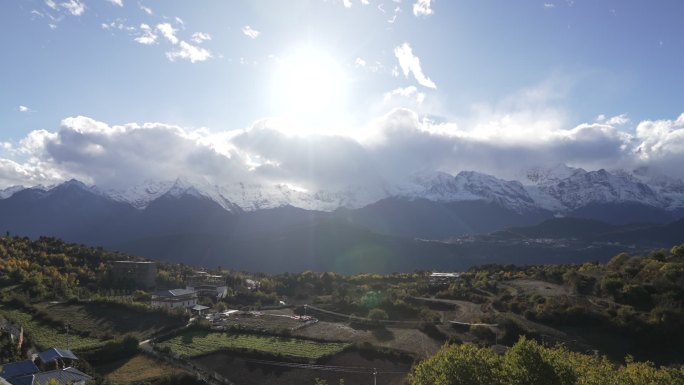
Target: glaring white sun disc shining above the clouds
[309,89]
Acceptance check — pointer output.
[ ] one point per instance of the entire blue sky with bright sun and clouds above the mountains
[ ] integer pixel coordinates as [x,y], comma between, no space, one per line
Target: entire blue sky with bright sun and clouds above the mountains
[332,93]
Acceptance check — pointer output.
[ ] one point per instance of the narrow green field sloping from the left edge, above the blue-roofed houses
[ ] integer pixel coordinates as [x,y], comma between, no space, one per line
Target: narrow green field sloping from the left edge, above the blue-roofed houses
[45,336]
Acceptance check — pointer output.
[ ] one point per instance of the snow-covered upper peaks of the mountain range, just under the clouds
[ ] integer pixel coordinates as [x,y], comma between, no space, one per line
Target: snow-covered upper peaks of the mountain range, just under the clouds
[559,190]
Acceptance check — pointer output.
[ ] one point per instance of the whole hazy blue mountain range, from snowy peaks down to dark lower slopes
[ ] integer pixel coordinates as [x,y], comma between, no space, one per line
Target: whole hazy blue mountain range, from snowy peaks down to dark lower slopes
[378,228]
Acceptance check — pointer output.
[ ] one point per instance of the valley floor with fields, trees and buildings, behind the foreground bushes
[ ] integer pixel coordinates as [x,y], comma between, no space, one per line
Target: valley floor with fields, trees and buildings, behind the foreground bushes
[302,326]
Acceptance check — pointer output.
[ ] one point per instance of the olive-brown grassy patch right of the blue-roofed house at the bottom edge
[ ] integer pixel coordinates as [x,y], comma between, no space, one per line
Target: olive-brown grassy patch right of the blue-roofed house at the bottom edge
[135,369]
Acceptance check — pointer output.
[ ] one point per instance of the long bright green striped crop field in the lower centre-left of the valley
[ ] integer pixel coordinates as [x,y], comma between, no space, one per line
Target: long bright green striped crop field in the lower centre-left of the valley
[197,342]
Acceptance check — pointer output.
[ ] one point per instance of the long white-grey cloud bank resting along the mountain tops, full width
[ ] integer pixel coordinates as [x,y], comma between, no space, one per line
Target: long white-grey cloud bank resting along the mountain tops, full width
[400,143]
